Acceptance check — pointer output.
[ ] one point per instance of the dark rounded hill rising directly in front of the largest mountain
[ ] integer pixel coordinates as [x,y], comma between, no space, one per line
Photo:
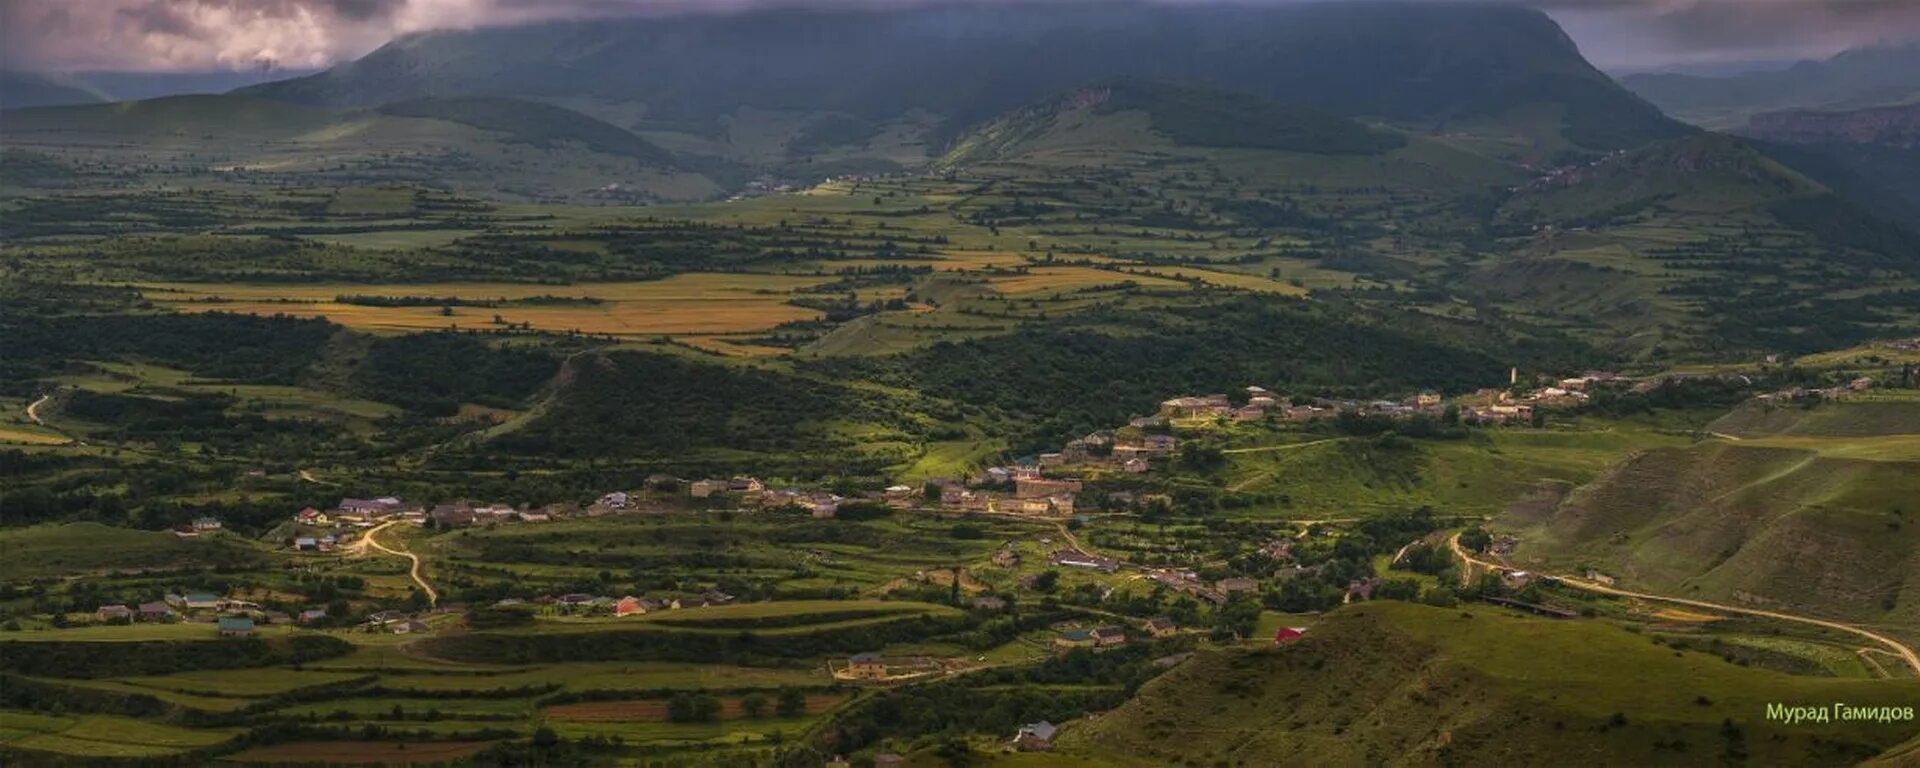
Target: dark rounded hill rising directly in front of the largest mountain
[1103,114]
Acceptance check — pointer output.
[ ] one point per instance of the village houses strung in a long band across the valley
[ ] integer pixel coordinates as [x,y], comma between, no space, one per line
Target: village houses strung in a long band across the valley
[1045,487]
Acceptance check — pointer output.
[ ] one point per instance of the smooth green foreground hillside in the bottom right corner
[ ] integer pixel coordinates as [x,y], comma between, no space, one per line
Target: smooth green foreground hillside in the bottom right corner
[1408,684]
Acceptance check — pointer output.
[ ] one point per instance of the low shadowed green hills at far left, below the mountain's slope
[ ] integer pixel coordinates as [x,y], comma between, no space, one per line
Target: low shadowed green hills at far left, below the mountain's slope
[500,149]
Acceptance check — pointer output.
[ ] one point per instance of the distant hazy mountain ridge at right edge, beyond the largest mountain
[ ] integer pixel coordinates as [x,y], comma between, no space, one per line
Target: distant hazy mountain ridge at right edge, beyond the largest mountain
[1858,78]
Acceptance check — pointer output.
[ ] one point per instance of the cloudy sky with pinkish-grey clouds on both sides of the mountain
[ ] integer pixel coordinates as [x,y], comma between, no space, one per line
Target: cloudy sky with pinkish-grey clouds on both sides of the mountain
[201,36]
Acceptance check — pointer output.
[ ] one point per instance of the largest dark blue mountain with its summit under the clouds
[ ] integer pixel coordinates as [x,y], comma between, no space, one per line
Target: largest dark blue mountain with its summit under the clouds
[1420,64]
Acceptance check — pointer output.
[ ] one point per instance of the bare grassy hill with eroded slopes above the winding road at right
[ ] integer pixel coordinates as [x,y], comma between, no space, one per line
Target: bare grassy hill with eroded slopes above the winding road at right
[1804,510]
